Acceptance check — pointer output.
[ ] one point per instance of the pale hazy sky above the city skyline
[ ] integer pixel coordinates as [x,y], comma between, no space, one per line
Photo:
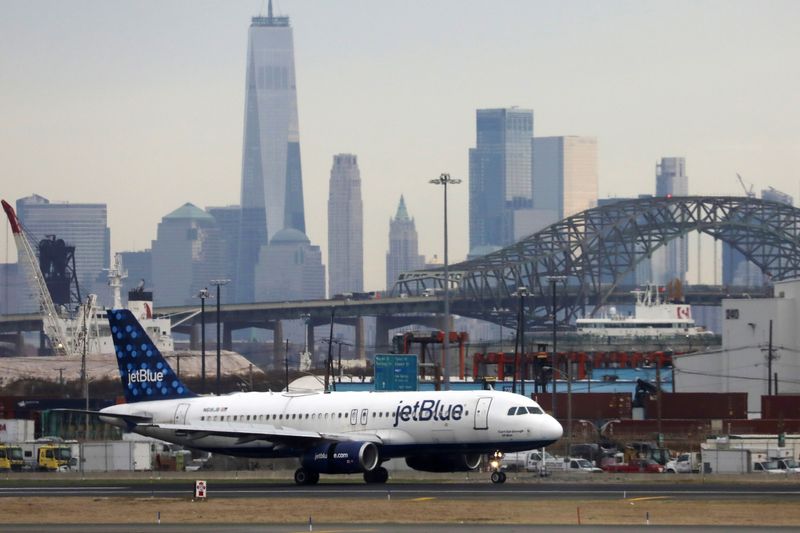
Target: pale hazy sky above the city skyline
[139,104]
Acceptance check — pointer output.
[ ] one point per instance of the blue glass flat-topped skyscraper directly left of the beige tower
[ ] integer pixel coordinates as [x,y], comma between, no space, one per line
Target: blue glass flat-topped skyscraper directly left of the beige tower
[500,174]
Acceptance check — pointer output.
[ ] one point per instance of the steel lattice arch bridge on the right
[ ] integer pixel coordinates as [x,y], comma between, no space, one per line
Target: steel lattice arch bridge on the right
[594,250]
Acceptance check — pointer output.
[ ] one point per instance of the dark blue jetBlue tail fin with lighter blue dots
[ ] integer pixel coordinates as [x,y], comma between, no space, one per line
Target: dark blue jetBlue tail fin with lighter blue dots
[144,372]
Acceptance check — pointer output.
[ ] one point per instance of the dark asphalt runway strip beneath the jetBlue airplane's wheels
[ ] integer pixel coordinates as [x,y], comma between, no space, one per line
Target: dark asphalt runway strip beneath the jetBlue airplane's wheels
[474,490]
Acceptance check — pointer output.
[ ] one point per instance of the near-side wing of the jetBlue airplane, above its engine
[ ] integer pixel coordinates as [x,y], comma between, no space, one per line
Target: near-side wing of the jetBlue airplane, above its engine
[276,435]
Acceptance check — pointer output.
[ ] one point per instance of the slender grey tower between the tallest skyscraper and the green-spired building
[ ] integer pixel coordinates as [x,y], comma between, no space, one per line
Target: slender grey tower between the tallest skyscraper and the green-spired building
[345,227]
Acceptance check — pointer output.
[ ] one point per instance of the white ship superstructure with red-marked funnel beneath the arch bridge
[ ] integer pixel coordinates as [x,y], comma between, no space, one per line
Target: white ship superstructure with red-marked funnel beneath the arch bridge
[652,317]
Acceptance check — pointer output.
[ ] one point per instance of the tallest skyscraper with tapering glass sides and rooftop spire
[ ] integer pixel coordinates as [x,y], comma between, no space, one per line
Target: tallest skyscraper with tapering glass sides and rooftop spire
[272,187]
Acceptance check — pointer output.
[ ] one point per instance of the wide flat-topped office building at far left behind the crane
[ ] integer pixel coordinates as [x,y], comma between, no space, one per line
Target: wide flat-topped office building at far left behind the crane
[82,225]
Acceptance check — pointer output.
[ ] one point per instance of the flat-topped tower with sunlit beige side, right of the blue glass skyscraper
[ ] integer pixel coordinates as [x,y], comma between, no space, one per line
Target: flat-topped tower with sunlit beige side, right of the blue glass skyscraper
[565,176]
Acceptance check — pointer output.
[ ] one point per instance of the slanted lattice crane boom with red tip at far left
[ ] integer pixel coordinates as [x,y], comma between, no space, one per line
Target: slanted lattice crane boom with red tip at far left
[52,325]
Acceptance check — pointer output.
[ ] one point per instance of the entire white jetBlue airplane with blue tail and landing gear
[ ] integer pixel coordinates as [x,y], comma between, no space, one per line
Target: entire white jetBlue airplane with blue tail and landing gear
[330,432]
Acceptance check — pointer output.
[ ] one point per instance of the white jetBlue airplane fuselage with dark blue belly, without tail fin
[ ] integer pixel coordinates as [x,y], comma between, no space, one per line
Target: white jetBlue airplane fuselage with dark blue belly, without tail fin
[399,423]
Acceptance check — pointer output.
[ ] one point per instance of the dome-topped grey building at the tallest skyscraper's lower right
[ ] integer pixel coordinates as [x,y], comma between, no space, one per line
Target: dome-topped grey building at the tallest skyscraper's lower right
[290,268]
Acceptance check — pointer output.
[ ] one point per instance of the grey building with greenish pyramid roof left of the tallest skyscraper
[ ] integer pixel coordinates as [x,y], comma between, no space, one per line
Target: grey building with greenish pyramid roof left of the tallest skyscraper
[187,254]
